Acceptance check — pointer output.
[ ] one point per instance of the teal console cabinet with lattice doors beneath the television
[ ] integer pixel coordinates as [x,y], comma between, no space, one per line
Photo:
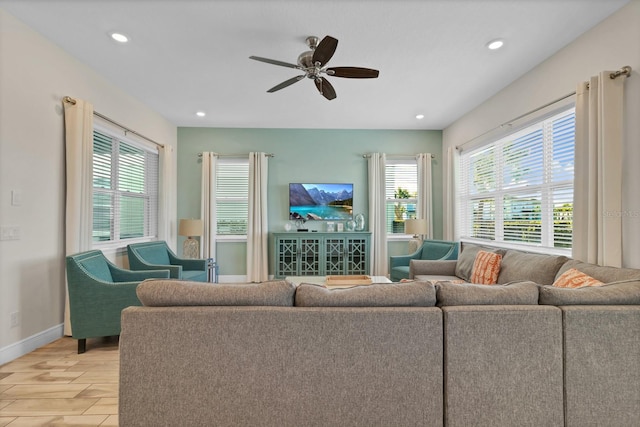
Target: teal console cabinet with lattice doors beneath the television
[321,254]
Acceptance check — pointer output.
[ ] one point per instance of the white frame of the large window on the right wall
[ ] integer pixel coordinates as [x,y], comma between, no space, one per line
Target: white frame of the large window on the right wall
[551,191]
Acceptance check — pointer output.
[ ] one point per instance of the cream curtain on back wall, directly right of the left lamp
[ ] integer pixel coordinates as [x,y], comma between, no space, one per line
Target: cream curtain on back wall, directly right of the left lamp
[208,205]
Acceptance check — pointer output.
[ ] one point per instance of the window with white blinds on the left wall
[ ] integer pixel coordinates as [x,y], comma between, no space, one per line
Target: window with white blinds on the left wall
[125,189]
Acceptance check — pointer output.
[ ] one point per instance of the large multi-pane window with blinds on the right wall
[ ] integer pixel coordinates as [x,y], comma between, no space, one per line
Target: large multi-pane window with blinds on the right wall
[519,189]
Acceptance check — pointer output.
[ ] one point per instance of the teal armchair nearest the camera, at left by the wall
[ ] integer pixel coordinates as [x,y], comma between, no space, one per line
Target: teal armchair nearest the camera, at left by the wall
[98,292]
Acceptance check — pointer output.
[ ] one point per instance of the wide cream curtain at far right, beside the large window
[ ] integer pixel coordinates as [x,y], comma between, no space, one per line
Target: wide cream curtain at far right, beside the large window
[597,208]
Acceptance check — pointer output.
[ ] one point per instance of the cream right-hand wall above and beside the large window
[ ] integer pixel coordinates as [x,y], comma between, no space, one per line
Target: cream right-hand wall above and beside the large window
[610,45]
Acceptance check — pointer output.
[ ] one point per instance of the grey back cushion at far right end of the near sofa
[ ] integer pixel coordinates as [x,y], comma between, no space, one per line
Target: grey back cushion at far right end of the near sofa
[616,293]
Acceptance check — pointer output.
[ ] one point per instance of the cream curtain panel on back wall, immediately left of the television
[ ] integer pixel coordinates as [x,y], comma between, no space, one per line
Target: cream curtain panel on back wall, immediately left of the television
[257,229]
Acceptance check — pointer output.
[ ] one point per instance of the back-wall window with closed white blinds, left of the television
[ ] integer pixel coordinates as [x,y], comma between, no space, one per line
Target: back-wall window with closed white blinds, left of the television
[232,196]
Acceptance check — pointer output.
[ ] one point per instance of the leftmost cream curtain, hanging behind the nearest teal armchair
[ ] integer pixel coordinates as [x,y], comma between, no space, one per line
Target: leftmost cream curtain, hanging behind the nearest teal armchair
[78,122]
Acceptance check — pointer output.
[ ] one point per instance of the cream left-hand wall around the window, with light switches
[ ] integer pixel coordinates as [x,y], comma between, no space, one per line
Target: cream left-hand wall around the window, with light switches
[34,77]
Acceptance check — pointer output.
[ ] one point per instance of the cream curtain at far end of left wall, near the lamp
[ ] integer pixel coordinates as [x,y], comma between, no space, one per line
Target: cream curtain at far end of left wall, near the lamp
[165,155]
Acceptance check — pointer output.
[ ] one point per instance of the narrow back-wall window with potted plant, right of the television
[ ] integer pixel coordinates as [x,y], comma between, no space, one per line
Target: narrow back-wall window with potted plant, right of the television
[401,189]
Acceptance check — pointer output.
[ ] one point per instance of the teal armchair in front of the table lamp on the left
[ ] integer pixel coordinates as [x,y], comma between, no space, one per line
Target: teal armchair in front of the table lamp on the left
[157,256]
